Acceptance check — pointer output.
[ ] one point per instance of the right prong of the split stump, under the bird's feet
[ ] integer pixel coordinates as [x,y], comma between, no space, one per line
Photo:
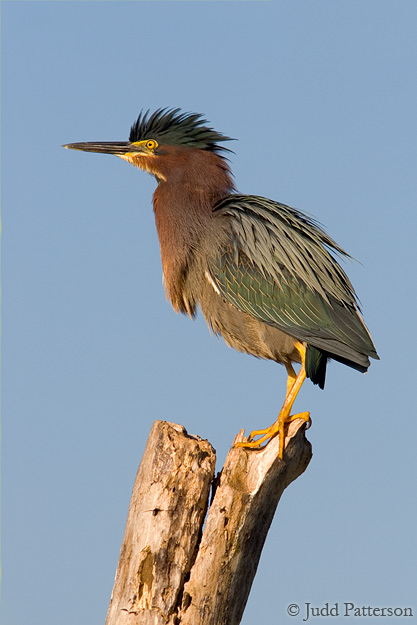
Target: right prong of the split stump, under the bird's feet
[238,521]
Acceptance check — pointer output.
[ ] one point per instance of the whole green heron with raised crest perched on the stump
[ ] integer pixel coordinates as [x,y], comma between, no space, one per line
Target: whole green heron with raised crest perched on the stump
[264,274]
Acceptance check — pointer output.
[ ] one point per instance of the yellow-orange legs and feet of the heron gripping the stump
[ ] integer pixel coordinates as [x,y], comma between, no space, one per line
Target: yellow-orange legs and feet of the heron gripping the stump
[294,383]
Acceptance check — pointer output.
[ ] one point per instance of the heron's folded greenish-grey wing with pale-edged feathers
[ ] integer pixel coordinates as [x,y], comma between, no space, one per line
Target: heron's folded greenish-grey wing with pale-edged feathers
[279,267]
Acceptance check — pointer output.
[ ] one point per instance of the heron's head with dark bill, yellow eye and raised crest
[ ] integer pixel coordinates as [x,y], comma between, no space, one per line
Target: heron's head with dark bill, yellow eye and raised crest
[162,142]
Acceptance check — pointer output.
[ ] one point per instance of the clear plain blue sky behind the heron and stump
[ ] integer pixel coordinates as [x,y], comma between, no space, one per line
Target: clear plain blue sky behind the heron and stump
[323,97]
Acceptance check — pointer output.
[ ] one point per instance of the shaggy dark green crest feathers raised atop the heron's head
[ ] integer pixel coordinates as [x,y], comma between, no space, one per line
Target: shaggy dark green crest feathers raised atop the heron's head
[171,127]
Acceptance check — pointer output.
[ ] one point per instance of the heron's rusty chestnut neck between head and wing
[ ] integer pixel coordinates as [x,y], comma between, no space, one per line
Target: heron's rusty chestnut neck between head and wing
[183,205]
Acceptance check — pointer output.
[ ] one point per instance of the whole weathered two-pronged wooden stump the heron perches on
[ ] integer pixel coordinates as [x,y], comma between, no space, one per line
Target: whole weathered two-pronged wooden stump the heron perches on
[170,571]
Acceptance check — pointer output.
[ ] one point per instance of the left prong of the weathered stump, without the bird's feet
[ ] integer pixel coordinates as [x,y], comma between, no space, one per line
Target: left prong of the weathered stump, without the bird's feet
[166,513]
